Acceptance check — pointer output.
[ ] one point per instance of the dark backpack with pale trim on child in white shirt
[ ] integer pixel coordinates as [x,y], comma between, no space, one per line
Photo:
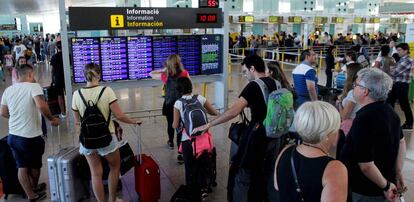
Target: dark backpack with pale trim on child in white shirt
[194,115]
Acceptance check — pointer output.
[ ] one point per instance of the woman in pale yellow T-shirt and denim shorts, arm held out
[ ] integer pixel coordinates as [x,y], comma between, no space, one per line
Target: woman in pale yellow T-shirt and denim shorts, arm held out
[106,101]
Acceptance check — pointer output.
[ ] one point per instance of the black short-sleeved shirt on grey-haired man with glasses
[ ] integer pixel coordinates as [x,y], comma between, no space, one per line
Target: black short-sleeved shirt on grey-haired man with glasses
[374,137]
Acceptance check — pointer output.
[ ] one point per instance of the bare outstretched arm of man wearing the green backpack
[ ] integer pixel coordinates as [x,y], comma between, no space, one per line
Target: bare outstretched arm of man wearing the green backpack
[232,112]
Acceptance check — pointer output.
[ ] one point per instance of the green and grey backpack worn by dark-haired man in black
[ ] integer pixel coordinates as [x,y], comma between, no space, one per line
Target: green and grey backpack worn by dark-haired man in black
[280,111]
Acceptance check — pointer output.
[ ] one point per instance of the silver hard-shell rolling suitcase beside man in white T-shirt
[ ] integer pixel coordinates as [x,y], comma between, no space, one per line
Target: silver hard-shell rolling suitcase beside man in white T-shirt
[65,182]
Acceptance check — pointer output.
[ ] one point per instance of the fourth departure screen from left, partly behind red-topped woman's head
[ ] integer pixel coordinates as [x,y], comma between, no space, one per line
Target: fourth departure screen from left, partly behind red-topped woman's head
[162,47]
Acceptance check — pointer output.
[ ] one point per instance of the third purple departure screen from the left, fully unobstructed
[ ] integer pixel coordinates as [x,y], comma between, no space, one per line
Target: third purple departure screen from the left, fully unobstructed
[139,57]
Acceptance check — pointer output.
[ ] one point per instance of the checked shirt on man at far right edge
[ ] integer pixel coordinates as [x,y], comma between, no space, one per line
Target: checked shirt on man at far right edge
[402,71]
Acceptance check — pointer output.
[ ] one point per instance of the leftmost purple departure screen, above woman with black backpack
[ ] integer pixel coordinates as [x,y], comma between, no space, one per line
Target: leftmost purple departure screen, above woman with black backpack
[84,51]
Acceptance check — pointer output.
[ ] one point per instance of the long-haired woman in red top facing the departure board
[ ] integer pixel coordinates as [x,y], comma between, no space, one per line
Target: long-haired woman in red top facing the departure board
[168,75]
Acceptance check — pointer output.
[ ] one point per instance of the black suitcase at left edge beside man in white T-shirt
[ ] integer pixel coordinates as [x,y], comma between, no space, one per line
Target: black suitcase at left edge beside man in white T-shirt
[8,171]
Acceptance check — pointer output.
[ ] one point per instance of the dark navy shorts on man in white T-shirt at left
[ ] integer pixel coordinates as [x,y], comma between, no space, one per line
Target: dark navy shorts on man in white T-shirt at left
[27,152]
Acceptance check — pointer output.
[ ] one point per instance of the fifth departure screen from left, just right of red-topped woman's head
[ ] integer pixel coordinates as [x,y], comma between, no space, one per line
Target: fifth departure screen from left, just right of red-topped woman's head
[189,51]
